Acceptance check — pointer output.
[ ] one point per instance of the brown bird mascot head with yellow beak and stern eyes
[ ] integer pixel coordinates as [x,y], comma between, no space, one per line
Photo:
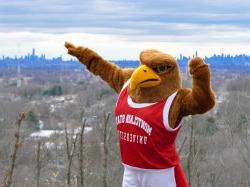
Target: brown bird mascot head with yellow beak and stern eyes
[157,77]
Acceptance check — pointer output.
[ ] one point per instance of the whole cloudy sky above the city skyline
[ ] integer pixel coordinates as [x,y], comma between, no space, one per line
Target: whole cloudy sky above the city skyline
[121,29]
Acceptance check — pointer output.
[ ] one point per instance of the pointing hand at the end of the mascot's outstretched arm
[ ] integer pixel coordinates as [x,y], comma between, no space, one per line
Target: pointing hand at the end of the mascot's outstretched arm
[78,52]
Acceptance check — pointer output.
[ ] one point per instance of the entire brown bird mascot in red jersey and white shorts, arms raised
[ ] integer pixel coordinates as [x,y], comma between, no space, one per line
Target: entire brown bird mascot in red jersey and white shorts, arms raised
[149,112]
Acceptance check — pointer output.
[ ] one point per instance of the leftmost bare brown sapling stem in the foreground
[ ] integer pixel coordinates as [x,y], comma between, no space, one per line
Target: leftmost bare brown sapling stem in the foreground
[8,180]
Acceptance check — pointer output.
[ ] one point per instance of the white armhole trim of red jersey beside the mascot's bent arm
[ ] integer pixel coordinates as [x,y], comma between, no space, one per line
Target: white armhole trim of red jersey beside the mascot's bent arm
[166,111]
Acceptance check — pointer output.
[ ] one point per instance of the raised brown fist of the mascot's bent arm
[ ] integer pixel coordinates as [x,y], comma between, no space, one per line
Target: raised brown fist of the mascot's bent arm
[196,65]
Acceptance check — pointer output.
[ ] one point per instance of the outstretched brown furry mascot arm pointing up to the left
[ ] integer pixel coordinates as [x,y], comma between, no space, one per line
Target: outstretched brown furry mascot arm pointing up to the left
[109,72]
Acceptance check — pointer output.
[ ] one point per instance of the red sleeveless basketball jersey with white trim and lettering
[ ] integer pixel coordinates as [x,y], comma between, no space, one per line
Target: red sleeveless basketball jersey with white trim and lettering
[146,140]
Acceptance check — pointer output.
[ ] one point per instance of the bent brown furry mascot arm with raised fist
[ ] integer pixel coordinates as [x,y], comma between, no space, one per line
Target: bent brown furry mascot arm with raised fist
[201,97]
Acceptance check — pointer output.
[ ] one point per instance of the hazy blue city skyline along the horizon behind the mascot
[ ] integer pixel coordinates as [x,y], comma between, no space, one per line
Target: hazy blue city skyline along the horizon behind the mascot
[34,61]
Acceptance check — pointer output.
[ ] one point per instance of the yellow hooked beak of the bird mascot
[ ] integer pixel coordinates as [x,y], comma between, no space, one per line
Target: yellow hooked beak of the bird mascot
[144,77]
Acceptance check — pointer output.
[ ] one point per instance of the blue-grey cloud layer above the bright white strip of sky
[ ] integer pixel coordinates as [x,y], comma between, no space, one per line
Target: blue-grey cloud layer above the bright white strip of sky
[142,18]
